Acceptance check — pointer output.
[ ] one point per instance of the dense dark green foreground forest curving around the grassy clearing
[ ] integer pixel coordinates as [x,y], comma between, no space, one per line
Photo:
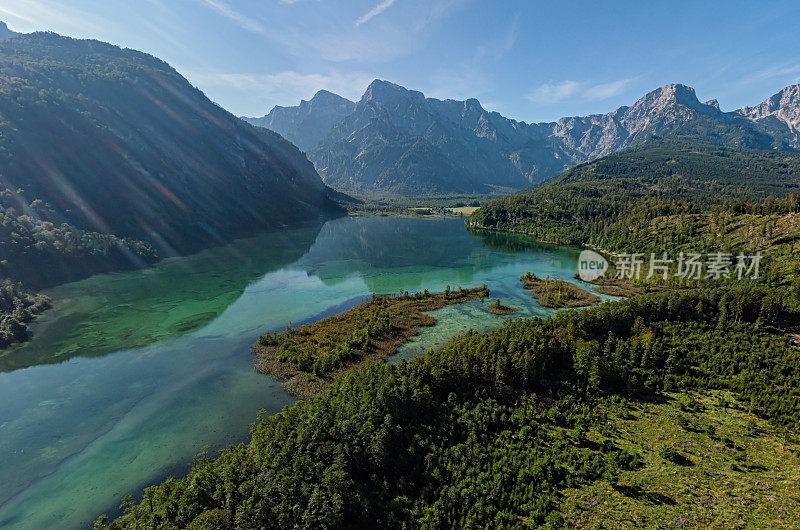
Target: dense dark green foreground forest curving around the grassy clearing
[489,430]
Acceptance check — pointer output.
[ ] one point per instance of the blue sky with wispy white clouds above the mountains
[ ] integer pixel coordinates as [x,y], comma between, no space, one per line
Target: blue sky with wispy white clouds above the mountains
[530,60]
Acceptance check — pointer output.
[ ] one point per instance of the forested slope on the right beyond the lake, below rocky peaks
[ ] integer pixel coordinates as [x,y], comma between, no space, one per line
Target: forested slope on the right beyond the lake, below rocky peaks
[661,195]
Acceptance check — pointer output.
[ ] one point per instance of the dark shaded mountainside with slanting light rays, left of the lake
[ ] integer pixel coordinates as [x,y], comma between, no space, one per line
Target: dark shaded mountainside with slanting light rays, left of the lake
[116,142]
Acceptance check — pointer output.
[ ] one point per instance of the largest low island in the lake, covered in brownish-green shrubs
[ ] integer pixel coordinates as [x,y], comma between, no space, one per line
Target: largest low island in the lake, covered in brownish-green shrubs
[311,356]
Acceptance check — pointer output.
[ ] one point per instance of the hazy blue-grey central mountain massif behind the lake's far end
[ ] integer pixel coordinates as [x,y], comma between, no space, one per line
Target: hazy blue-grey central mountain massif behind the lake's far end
[399,142]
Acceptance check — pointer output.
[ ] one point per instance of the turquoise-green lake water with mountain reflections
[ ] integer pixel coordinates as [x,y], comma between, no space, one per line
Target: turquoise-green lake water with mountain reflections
[134,373]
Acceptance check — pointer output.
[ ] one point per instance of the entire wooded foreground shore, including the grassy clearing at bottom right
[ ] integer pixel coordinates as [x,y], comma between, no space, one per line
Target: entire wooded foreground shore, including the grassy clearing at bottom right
[516,427]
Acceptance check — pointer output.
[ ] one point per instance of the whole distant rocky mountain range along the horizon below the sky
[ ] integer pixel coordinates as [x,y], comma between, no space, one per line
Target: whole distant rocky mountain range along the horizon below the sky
[398,142]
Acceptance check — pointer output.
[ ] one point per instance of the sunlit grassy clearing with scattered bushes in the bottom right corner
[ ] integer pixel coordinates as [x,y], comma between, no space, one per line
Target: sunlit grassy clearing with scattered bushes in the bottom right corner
[733,469]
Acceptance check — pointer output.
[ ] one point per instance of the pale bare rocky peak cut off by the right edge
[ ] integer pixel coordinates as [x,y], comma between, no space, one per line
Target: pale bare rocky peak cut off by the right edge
[779,116]
